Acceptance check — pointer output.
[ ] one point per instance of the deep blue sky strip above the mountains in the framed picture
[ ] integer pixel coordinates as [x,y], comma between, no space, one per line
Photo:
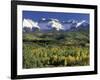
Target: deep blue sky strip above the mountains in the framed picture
[37,15]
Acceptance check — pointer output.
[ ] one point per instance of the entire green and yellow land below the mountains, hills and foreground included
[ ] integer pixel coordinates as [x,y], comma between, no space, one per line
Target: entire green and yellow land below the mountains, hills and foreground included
[55,49]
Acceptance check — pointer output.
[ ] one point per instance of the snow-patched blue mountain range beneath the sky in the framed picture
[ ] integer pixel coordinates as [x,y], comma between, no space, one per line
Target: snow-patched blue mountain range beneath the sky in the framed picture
[44,24]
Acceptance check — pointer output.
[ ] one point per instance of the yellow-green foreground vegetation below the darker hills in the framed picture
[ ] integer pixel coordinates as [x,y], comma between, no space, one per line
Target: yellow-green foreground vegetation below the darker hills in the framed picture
[54,56]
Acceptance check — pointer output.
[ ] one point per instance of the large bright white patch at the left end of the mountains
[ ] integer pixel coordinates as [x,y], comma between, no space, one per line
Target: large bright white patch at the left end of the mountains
[30,23]
